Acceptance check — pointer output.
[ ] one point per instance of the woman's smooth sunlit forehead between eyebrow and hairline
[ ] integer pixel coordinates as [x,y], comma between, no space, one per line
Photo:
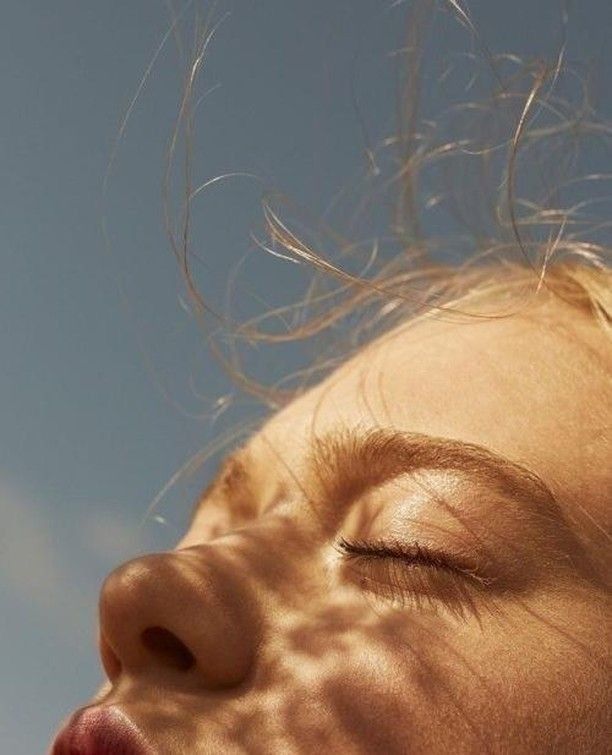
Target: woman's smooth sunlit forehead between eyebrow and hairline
[533,387]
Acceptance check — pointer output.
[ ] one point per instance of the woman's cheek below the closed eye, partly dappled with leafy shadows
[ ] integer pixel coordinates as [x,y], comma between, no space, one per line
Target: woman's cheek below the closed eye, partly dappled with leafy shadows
[392,681]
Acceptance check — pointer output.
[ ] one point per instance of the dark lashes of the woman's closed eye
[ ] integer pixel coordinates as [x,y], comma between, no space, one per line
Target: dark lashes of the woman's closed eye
[414,575]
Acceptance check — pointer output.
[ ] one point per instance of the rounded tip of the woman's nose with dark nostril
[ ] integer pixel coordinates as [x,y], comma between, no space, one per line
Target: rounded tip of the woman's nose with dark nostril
[186,614]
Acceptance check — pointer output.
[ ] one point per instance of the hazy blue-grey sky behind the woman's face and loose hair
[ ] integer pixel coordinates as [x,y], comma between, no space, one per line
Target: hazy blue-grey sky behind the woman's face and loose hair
[105,386]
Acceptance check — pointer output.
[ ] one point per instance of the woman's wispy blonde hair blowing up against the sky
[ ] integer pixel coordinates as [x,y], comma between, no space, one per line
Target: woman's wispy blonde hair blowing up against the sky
[528,242]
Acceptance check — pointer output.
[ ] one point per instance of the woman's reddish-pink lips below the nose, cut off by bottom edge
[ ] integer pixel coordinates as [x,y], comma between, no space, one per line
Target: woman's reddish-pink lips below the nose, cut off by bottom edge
[100,731]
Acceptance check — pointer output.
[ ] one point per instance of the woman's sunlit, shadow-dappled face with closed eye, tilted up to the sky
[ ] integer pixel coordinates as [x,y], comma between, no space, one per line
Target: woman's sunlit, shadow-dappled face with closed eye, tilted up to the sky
[466,466]
